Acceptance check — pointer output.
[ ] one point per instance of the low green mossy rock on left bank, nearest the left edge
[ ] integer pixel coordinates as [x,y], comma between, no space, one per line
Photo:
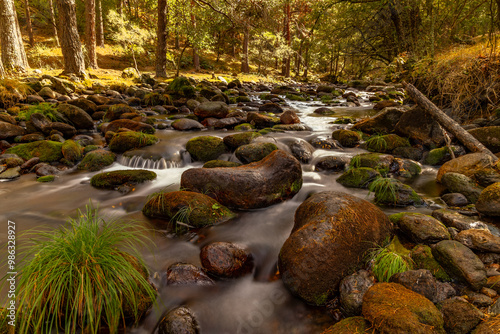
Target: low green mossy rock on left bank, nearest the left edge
[46,150]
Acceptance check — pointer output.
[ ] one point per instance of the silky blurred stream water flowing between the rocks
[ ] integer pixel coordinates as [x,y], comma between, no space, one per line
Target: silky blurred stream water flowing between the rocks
[257,303]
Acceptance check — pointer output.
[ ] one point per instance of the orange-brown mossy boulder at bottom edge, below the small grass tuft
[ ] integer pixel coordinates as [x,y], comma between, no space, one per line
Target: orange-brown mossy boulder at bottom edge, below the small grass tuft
[394,309]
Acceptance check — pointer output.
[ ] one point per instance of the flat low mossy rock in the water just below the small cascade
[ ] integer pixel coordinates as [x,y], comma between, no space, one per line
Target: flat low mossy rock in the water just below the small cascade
[114,179]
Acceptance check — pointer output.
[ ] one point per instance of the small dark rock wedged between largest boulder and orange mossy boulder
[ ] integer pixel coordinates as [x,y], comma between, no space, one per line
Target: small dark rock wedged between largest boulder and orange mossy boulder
[352,289]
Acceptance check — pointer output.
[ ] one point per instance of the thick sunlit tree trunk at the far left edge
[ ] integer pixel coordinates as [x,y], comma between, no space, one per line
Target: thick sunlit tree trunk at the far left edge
[13,54]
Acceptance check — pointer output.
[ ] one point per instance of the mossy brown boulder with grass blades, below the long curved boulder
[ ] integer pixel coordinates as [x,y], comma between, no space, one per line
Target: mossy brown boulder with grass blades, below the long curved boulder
[191,208]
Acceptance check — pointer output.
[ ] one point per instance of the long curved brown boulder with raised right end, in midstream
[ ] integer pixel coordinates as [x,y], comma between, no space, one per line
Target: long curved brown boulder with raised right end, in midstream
[274,179]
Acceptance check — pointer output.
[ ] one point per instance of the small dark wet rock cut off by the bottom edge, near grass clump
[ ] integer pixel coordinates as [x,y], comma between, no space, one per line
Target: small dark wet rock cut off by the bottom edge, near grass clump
[179,321]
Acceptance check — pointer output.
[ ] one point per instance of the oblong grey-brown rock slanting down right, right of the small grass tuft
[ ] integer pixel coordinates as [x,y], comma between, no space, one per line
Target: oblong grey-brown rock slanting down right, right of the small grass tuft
[461,263]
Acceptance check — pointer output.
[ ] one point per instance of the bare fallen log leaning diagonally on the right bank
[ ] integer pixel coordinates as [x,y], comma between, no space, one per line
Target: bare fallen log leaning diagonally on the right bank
[447,122]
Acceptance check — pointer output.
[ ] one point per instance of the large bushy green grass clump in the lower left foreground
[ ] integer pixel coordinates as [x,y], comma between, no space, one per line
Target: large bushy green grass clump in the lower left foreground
[86,276]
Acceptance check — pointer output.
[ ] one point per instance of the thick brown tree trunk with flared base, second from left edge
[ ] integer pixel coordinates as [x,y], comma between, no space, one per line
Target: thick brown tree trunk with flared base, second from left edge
[70,40]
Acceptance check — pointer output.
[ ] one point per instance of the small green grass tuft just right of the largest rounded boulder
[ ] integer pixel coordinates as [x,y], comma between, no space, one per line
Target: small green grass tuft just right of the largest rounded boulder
[389,260]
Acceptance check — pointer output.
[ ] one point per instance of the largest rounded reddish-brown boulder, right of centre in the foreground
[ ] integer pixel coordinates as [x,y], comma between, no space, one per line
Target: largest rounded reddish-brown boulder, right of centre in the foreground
[332,232]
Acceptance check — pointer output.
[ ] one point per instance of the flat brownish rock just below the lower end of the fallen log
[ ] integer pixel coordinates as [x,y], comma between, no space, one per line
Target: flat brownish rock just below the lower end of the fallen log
[467,165]
